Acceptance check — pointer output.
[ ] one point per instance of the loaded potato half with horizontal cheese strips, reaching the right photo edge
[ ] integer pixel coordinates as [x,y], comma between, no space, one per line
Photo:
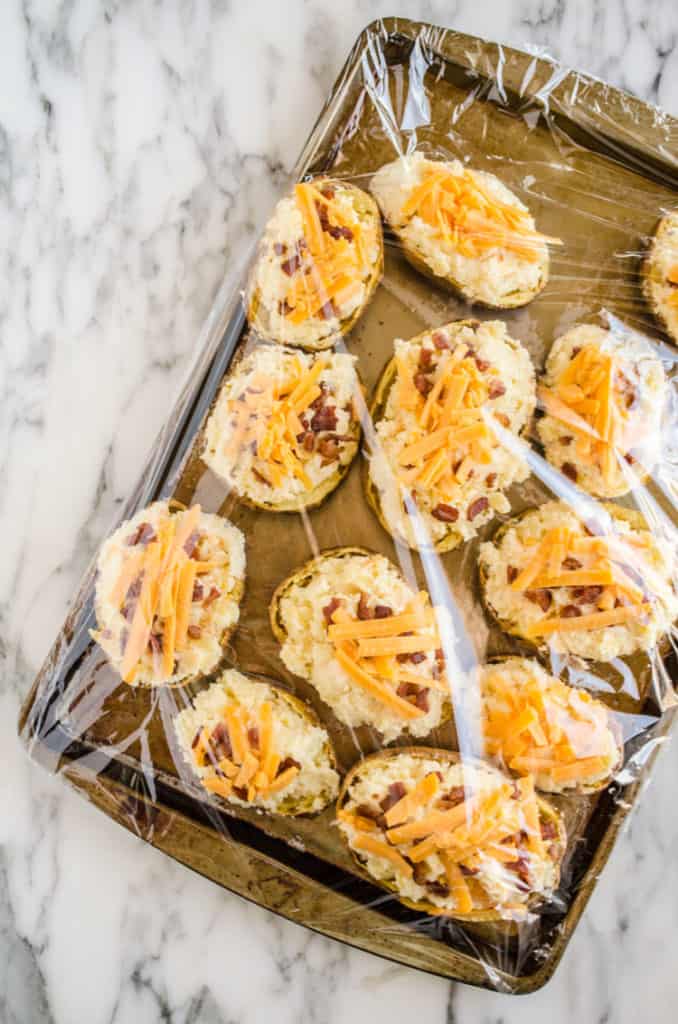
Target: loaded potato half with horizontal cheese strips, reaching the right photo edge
[601,589]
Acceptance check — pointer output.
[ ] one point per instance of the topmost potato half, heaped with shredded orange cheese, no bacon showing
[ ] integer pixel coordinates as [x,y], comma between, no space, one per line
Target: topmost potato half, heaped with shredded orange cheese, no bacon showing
[465,229]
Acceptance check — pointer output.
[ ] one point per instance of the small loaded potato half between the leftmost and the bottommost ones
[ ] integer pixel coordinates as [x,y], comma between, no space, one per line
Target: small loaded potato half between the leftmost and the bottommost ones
[253,745]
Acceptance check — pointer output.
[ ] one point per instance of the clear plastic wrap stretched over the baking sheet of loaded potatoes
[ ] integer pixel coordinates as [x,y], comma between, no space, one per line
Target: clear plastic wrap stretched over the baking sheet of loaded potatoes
[428,488]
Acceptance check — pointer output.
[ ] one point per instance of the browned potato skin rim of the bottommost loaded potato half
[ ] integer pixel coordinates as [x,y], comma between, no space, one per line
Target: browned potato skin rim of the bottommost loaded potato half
[547,813]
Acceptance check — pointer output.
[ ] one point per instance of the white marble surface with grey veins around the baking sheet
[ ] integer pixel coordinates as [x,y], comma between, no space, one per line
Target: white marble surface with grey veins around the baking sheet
[137,142]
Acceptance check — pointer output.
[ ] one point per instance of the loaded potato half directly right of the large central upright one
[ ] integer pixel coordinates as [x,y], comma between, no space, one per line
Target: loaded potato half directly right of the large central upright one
[604,398]
